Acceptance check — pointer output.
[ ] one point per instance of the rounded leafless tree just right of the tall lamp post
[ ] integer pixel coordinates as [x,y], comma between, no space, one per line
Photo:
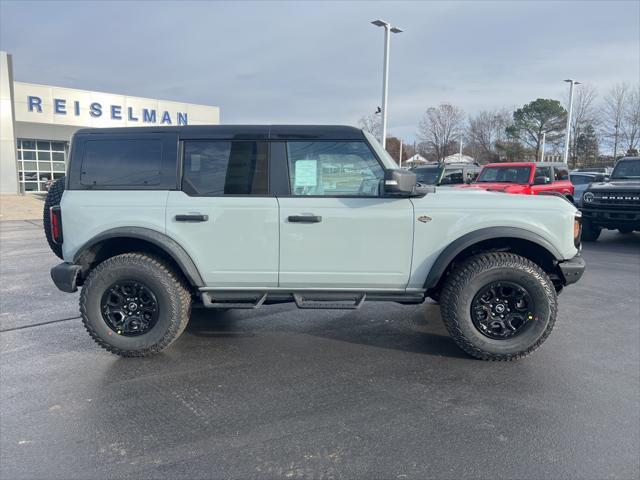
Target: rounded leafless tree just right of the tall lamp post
[439,127]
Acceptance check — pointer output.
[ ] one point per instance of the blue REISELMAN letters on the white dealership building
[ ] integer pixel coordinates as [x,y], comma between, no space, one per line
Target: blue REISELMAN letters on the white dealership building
[96,110]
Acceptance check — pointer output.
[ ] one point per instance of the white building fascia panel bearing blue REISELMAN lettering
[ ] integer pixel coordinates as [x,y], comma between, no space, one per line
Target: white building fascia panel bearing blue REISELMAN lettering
[44,104]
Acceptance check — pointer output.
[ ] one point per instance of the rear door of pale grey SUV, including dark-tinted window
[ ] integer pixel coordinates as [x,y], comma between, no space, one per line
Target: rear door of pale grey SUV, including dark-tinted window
[224,215]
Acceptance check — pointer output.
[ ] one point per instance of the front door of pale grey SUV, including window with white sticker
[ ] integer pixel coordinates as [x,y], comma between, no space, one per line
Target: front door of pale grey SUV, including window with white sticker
[336,231]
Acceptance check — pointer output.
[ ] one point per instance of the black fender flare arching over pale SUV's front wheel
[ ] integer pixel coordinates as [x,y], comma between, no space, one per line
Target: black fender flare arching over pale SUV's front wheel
[477,236]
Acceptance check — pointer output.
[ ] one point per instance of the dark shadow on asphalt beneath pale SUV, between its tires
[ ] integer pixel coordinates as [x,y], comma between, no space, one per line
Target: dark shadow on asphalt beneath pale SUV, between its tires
[412,328]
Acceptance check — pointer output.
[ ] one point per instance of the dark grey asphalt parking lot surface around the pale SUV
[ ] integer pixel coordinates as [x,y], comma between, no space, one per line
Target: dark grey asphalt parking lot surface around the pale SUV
[381,392]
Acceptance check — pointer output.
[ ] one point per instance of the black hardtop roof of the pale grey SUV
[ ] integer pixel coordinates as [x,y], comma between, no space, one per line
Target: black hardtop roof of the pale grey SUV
[259,132]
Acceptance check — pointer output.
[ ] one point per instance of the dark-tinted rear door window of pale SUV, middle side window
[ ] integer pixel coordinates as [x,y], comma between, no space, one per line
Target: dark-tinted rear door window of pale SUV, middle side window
[214,168]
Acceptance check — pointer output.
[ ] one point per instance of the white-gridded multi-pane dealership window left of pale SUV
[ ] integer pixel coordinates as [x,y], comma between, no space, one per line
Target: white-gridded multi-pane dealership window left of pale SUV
[39,162]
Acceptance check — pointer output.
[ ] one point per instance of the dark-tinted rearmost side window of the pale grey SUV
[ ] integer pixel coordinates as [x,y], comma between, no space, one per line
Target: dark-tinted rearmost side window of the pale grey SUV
[122,163]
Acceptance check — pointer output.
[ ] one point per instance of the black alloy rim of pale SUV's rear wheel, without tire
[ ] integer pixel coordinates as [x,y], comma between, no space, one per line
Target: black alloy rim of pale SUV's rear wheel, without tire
[129,308]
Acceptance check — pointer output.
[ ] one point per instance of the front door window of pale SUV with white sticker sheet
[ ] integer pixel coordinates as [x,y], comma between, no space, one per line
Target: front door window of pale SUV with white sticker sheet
[333,169]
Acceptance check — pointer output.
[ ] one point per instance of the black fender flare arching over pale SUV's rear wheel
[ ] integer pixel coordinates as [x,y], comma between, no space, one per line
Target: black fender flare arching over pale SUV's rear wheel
[160,240]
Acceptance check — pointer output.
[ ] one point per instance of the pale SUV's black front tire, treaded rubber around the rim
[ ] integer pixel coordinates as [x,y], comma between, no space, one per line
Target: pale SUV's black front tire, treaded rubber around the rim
[467,279]
